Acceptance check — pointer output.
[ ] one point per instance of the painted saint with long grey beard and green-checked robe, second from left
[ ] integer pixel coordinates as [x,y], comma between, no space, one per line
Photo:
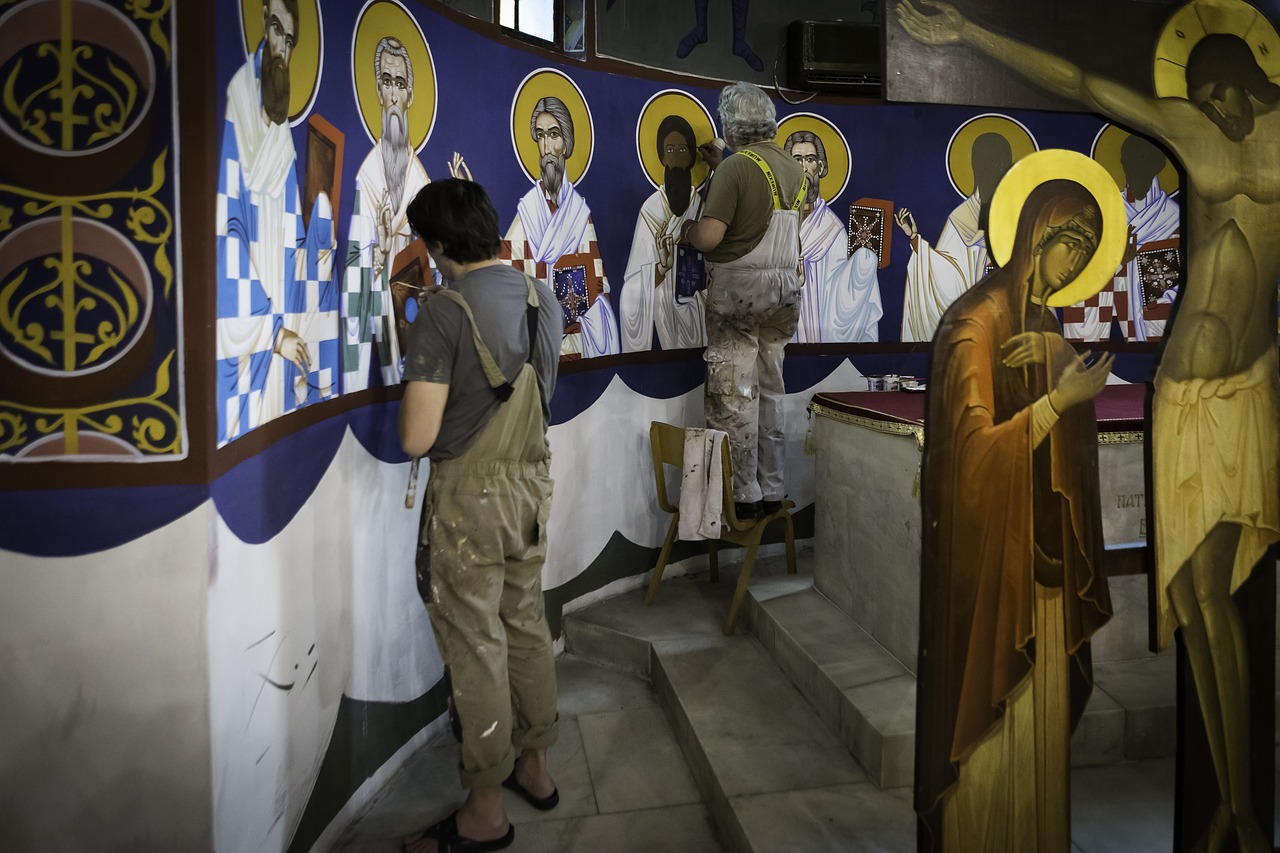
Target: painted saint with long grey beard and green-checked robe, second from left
[395,83]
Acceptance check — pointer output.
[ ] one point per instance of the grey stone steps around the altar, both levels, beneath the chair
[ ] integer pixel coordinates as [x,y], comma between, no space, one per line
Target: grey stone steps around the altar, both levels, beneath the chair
[806,722]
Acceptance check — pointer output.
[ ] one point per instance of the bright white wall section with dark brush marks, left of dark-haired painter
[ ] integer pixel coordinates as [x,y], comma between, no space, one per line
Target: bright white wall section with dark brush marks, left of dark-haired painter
[328,606]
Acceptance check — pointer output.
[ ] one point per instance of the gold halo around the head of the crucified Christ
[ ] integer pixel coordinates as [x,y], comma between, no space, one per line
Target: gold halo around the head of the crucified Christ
[1200,19]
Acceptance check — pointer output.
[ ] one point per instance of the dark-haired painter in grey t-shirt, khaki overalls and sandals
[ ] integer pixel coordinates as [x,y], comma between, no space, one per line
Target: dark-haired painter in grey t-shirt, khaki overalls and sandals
[479,375]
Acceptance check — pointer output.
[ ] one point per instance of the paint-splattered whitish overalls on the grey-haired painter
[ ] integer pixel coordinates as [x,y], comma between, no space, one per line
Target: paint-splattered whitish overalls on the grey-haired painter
[753,305]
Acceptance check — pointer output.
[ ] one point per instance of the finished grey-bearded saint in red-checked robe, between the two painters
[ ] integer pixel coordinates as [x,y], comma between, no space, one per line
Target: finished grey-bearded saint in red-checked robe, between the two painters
[552,236]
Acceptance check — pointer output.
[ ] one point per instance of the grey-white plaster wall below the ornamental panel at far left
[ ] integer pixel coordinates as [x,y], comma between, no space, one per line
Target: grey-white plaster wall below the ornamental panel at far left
[104,696]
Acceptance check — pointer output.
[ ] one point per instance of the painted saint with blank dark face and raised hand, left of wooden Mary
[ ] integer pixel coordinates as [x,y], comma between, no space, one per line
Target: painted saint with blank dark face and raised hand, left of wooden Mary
[980,154]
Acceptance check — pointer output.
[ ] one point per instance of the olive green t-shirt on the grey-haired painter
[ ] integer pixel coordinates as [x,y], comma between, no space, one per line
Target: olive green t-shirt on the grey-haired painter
[740,198]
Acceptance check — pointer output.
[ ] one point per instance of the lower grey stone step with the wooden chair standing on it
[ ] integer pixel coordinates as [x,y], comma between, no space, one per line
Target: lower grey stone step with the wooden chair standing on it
[772,774]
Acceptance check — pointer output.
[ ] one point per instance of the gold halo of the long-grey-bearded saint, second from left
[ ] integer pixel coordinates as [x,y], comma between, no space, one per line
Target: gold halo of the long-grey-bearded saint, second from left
[378,20]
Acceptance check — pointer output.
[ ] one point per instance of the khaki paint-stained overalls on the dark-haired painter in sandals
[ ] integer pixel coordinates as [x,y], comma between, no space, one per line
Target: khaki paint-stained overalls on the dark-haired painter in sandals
[486,530]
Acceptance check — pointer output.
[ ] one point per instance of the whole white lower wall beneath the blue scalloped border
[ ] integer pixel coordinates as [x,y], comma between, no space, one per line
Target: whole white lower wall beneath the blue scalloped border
[182,691]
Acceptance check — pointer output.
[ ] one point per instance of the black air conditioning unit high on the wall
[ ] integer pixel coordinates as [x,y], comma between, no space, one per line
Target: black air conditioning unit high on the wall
[836,57]
